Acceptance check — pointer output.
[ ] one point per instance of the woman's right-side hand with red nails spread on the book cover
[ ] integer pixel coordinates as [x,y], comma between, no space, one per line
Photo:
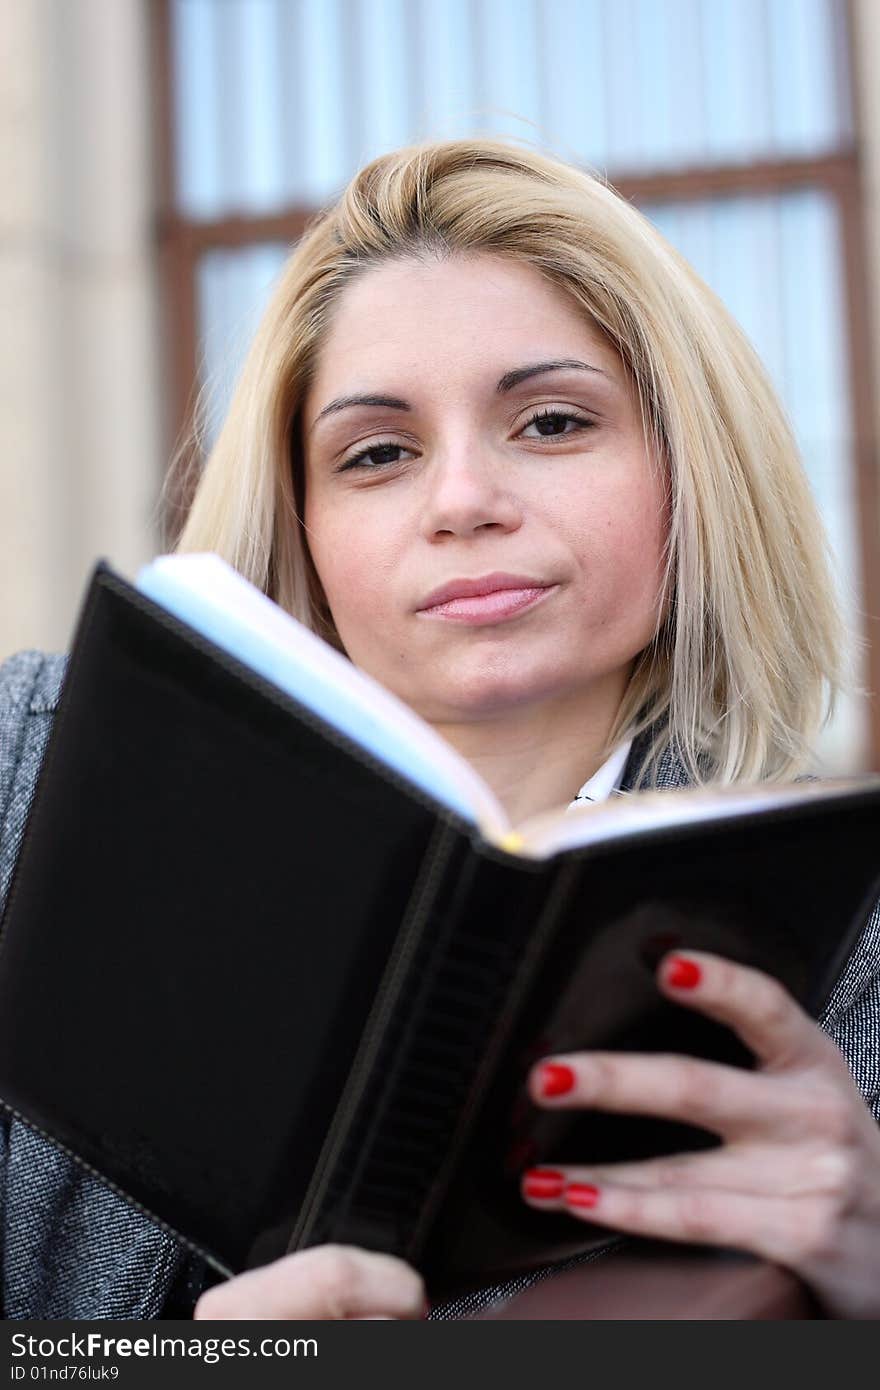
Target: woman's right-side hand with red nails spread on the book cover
[797,1179]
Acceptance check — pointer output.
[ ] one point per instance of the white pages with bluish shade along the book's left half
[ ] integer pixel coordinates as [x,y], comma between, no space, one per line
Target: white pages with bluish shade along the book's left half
[213,598]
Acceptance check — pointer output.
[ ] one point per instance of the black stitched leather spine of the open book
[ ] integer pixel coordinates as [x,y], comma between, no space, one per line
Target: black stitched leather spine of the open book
[476,931]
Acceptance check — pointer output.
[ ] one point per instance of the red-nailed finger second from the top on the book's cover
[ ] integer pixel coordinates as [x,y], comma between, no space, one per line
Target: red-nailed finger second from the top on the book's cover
[724,1100]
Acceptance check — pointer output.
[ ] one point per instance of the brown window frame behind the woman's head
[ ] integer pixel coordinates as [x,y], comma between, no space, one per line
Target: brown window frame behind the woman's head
[183,241]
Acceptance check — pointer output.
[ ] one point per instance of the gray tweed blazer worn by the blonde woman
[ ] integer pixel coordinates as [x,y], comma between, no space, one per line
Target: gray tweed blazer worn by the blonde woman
[73,1248]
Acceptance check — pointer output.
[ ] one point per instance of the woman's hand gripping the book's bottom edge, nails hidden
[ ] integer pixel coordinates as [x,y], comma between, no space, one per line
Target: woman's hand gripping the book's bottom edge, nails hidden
[326,1282]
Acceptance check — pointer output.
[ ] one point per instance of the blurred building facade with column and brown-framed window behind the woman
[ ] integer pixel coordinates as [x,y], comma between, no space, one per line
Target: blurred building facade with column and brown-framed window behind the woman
[163,155]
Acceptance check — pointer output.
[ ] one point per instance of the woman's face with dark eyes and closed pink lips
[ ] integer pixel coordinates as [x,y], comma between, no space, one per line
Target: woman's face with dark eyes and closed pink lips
[465,422]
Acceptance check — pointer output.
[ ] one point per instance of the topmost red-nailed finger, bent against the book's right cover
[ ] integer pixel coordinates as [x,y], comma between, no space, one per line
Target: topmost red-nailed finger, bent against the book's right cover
[756,1006]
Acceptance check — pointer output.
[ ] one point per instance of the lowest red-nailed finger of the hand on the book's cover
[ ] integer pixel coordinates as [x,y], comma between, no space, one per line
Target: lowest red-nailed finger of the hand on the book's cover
[703,1217]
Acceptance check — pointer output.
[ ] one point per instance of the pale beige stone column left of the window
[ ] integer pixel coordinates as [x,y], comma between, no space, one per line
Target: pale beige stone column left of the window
[80,429]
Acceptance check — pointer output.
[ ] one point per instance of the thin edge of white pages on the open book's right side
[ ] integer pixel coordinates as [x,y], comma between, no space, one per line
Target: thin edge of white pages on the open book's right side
[621,817]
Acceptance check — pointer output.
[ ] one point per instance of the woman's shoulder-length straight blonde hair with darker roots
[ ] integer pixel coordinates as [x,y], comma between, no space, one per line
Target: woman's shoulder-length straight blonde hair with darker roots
[747,664]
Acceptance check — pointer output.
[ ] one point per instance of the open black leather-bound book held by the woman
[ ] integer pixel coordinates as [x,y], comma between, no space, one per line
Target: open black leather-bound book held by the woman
[275,963]
